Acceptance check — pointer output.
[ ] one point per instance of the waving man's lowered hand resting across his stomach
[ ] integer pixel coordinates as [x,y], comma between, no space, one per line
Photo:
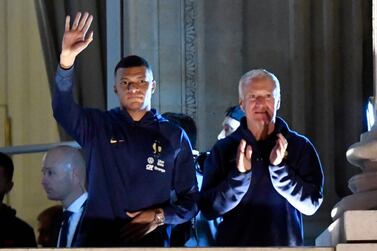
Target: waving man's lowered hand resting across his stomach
[142,223]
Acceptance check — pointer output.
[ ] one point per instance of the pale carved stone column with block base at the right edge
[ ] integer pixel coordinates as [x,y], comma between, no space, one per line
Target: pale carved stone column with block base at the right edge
[355,215]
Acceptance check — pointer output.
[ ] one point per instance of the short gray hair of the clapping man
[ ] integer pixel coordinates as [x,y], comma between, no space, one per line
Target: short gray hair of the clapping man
[258,73]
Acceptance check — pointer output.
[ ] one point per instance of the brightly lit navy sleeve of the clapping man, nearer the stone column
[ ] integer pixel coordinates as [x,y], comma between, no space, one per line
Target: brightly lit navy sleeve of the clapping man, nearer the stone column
[301,182]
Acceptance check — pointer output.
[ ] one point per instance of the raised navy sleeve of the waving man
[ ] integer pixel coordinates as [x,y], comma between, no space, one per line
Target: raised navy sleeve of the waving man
[67,113]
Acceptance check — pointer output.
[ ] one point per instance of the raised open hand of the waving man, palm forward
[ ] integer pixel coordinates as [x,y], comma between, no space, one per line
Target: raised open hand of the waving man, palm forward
[75,39]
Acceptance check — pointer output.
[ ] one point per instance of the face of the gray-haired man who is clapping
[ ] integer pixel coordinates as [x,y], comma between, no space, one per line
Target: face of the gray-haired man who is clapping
[260,102]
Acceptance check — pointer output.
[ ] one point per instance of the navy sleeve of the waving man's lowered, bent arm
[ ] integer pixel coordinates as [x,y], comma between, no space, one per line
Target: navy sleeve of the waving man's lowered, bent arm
[183,206]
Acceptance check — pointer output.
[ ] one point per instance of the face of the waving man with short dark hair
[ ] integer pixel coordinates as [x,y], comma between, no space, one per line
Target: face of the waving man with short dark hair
[134,87]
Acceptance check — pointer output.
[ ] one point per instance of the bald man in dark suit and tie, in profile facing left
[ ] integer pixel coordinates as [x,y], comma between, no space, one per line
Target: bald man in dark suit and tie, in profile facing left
[63,179]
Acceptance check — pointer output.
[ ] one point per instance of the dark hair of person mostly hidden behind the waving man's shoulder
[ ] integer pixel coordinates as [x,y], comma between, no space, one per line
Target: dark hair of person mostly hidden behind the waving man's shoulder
[186,122]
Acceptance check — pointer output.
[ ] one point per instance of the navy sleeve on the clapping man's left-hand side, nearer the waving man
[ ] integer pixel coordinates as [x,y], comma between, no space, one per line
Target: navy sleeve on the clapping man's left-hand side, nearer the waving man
[222,190]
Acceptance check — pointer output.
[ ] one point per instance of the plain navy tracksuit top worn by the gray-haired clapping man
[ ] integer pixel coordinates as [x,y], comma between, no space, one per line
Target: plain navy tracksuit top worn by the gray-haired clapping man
[262,207]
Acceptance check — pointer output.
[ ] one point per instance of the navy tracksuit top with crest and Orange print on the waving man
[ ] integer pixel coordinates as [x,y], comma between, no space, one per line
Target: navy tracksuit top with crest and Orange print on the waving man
[131,165]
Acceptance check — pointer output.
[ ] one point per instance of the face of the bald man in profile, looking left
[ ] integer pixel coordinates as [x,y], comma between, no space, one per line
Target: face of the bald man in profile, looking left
[57,179]
